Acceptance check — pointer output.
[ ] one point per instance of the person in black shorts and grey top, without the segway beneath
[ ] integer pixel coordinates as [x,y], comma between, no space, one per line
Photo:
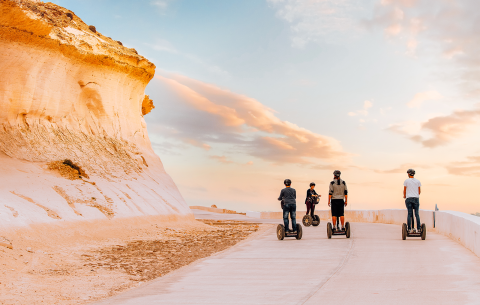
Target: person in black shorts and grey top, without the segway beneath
[337,192]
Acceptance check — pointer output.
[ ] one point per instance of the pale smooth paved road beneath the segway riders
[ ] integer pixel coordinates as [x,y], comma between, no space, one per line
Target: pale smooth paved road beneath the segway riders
[374,266]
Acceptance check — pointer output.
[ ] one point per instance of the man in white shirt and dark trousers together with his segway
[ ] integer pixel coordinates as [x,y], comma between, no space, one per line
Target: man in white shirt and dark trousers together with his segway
[411,194]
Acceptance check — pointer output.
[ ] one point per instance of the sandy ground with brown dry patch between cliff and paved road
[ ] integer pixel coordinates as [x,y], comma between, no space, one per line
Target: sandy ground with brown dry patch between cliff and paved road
[79,265]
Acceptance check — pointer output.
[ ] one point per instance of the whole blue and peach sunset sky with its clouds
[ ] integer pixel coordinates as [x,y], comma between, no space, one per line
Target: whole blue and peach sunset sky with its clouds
[248,93]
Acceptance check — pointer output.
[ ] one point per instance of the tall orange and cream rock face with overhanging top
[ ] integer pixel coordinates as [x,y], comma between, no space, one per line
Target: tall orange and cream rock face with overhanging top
[68,93]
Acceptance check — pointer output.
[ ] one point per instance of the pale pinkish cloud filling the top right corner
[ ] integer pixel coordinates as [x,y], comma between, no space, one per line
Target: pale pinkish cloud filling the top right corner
[449,28]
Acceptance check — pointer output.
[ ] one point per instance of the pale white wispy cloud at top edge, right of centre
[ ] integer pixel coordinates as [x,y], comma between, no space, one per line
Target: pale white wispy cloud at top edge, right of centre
[314,20]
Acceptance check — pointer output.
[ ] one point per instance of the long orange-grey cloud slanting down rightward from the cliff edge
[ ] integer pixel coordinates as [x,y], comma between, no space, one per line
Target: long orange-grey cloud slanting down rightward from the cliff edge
[213,116]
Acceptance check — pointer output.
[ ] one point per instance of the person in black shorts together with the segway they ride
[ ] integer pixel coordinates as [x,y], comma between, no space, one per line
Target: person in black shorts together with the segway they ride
[337,192]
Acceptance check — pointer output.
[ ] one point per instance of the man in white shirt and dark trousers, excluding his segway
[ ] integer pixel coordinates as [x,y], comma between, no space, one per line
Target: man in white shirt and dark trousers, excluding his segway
[411,193]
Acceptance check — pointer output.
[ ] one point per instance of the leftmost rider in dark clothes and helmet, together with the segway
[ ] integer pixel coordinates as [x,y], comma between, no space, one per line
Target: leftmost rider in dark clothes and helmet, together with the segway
[288,197]
